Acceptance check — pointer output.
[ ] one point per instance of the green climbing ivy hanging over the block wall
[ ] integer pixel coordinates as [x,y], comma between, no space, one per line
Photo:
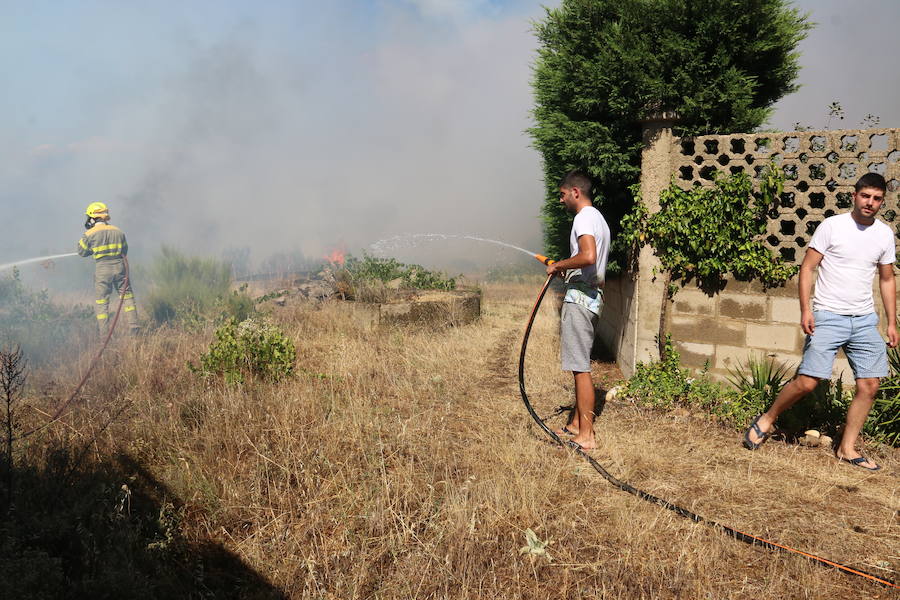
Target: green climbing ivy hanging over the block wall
[706,233]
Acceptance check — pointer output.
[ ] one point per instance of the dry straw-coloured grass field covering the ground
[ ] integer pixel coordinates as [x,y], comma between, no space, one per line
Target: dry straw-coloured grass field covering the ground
[401,463]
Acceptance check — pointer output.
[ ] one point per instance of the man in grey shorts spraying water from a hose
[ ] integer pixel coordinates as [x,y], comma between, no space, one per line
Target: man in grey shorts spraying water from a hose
[585,272]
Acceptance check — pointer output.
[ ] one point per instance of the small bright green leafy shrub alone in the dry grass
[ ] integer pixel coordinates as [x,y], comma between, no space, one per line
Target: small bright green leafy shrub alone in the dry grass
[253,347]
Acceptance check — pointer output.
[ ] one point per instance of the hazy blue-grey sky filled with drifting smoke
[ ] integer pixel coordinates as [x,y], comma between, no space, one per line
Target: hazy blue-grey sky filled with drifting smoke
[301,125]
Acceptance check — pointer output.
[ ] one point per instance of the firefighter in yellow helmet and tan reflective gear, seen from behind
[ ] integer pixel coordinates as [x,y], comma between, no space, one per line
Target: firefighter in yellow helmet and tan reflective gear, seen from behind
[107,244]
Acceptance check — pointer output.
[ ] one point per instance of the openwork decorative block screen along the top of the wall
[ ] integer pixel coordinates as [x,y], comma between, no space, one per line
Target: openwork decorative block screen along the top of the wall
[820,170]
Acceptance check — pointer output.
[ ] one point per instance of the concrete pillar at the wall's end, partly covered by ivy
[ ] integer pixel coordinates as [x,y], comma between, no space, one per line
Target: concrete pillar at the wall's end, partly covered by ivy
[646,305]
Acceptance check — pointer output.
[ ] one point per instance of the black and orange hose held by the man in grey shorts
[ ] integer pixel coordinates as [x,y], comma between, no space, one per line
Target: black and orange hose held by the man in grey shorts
[747,538]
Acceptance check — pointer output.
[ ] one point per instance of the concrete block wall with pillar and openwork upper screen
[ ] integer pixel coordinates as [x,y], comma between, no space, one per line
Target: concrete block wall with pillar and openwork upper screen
[721,331]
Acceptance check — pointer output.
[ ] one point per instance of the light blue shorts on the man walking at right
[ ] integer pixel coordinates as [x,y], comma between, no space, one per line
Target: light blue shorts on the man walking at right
[866,350]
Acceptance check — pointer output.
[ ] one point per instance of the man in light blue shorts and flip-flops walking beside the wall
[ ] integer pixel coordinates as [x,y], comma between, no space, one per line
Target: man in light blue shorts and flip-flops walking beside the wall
[847,249]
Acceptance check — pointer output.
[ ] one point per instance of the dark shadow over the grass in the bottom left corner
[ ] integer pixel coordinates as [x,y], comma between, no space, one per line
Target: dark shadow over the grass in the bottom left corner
[108,531]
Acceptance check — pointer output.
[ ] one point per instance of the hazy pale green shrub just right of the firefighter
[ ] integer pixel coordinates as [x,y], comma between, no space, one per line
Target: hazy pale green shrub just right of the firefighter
[193,290]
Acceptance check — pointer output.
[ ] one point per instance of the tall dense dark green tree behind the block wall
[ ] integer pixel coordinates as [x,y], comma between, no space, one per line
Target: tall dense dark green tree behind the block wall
[603,65]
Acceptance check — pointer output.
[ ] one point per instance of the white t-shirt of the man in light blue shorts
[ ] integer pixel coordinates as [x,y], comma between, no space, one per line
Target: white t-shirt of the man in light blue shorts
[851,253]
